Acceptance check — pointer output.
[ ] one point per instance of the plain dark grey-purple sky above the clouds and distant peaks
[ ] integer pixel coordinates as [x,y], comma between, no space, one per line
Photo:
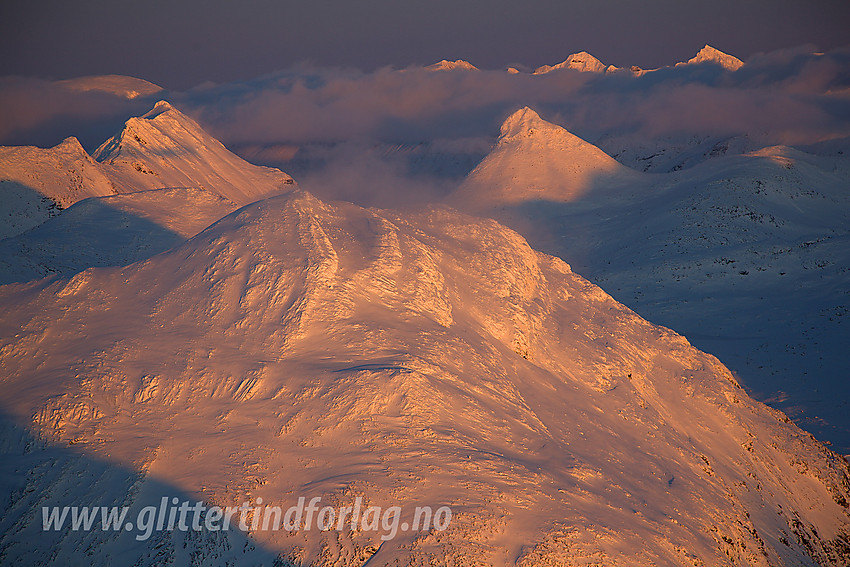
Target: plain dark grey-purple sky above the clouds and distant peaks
[180,44]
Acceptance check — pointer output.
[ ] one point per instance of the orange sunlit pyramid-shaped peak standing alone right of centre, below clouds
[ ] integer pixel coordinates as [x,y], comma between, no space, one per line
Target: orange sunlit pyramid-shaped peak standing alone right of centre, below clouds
[535,160]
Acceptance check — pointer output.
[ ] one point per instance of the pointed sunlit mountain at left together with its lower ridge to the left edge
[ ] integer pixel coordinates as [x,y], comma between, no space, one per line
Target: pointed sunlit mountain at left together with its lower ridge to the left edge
[162,149]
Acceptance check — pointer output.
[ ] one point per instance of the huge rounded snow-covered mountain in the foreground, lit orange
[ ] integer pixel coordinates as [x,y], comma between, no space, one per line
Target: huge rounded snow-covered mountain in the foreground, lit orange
[303,348]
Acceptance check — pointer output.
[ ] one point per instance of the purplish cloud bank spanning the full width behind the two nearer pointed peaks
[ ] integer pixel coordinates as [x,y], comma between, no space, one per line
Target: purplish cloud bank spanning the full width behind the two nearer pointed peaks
[784,97]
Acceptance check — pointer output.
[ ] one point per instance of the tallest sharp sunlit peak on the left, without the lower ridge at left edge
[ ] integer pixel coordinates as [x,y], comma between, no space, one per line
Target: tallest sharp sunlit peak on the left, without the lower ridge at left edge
[166,148]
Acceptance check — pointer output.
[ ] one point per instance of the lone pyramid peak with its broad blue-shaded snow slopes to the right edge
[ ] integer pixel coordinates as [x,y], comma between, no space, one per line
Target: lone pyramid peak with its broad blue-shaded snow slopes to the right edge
[745,254]
